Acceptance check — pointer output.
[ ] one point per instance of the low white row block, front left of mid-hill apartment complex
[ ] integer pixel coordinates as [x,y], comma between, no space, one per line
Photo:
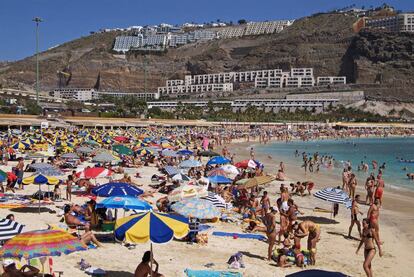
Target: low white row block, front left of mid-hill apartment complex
[185,89]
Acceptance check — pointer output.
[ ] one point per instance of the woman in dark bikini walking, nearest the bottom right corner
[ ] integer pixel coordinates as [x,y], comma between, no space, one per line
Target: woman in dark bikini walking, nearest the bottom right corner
[369,239]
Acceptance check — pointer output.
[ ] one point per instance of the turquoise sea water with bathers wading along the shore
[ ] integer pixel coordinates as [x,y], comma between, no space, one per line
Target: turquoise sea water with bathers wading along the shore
[388,150]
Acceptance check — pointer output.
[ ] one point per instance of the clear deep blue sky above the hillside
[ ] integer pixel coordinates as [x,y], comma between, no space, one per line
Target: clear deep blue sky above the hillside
[71,19]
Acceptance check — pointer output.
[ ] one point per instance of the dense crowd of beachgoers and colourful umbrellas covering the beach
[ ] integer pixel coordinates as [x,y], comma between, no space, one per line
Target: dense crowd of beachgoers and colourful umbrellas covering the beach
[196,179]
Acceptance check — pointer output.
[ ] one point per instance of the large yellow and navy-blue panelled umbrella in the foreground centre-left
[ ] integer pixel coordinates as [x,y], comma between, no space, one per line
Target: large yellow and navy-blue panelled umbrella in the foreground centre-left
[151,226]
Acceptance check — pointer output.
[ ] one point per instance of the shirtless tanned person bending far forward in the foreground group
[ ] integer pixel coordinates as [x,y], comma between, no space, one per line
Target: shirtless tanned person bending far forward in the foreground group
[313,231]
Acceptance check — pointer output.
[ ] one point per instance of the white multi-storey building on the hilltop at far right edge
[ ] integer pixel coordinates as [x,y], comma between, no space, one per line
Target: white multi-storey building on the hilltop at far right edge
[403,22]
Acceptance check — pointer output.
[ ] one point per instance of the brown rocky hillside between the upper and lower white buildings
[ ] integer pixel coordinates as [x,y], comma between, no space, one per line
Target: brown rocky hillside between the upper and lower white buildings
[325,42]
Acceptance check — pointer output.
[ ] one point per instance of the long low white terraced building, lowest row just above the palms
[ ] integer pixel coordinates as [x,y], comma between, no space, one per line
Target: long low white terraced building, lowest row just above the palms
[275,105]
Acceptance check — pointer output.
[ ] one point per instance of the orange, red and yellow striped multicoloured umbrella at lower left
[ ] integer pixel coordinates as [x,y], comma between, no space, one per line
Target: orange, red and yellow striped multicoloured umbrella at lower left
[41,243]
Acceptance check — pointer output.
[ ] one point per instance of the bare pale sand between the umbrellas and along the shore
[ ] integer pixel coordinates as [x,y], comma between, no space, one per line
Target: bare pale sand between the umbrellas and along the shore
[335,252]
